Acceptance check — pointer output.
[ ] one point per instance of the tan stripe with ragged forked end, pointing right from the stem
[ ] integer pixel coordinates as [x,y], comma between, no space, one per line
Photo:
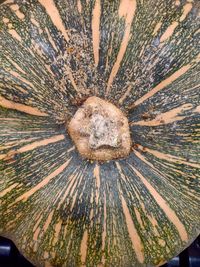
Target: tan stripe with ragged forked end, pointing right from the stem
[165,118]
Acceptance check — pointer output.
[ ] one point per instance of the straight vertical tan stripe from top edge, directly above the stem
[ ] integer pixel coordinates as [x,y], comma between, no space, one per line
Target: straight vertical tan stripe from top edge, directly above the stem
[96,14]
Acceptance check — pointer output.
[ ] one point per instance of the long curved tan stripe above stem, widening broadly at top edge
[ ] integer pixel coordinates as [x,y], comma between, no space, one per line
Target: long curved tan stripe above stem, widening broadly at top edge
[127,9]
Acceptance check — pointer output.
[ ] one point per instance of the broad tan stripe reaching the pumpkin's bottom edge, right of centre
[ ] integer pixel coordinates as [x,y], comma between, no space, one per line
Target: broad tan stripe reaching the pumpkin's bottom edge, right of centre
[133,234]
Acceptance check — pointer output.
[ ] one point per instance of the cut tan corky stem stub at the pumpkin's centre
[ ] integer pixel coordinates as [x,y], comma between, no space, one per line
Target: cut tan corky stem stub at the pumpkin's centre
[100,130]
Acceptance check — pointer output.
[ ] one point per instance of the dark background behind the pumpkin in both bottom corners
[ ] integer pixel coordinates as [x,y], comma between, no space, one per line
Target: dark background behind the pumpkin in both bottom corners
[10,256]
